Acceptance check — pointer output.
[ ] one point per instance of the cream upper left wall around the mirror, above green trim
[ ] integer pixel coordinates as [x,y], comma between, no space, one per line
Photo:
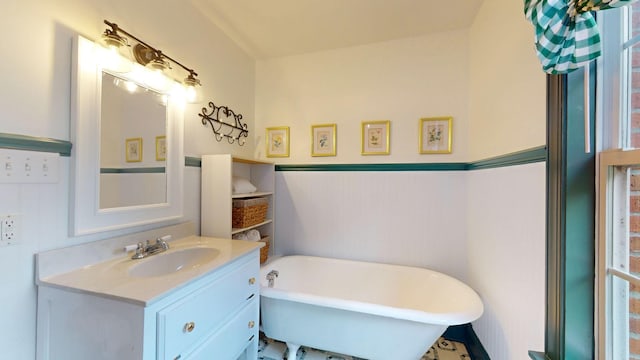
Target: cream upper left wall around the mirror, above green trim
[36,61]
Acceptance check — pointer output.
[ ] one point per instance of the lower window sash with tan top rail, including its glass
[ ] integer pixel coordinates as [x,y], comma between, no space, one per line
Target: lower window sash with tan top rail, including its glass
[618,256]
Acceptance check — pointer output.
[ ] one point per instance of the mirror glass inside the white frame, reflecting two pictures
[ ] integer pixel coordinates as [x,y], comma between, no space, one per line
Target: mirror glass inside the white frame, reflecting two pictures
[133,123]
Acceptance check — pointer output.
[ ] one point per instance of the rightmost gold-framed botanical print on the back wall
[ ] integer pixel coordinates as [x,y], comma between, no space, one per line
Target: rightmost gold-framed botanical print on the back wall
[435,135]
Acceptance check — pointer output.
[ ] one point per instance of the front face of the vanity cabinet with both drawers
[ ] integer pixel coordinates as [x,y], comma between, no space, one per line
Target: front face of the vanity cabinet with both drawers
[203,317]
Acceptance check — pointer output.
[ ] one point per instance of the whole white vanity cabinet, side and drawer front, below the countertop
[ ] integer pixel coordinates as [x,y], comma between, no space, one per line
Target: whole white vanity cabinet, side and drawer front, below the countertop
[215,316]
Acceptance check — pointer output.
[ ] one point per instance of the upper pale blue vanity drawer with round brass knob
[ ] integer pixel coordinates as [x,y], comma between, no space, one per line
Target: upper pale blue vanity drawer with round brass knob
[186,322]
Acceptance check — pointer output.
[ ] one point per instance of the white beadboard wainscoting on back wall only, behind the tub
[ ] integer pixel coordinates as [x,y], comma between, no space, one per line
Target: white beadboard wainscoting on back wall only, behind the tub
[410,218]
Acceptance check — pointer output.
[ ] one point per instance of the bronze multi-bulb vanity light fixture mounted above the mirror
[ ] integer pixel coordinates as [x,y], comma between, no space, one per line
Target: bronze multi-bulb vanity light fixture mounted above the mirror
[146,55]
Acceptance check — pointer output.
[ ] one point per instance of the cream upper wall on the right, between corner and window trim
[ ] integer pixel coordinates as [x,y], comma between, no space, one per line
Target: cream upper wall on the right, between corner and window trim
[507,110]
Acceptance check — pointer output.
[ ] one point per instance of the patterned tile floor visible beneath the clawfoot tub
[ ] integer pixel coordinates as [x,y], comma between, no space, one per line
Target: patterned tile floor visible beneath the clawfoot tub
[443,349]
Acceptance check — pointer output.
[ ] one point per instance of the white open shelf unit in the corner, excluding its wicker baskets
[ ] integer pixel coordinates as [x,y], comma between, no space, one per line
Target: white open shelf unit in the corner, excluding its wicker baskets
[217,194]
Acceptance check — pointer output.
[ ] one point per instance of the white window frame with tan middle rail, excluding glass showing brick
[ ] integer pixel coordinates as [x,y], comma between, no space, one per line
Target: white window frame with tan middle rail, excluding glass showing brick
[613,178]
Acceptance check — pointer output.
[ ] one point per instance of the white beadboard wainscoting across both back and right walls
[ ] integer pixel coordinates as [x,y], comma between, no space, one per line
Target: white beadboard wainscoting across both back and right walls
[485,227]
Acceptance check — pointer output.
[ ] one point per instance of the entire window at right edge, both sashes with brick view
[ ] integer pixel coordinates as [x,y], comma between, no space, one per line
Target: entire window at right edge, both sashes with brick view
[618,260]
